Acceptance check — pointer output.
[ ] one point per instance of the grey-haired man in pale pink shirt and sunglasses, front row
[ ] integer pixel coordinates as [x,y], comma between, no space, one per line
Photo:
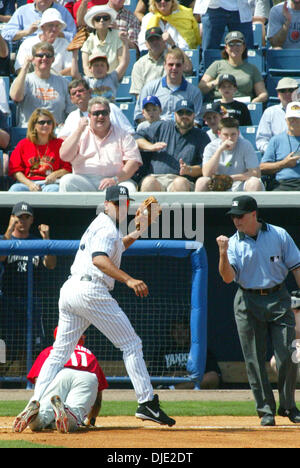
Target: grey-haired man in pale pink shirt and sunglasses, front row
[101,154]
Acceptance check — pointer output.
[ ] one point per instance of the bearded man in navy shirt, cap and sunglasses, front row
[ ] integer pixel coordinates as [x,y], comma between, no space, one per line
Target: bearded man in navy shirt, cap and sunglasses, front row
[173,151]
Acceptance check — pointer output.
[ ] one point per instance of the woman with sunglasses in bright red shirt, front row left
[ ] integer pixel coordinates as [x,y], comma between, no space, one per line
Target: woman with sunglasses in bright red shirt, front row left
[35,162]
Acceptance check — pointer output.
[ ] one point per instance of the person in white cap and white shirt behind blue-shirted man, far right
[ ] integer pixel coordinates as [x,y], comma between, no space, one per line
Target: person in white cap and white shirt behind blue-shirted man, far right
[273,120]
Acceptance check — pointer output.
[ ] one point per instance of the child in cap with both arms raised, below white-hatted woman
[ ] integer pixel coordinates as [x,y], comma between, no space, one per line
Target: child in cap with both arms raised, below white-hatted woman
[100,81]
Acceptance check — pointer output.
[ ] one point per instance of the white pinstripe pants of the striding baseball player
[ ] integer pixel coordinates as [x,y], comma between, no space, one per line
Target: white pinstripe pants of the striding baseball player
[83,303]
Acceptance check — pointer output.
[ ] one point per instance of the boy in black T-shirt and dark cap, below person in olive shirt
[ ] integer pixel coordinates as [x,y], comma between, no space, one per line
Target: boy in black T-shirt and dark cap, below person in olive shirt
[237,110]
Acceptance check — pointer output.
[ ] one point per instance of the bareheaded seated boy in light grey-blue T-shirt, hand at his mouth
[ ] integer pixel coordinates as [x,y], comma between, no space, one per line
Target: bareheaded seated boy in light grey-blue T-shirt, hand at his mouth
[232,155]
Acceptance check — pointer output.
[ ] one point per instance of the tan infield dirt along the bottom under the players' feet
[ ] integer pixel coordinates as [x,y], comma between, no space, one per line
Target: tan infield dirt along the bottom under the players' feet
[189,432]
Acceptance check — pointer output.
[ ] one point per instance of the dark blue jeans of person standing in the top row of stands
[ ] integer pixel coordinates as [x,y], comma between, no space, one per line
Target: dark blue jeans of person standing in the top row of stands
[214,22]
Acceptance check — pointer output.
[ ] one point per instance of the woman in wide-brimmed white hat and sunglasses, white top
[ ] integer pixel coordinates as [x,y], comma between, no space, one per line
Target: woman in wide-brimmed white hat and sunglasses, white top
[104,40]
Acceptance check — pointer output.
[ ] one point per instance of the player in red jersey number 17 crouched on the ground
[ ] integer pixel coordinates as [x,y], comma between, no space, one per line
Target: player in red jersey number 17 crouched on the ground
[79,386]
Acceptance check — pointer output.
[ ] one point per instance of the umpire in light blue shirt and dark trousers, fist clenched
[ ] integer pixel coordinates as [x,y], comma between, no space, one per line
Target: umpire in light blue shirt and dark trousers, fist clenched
[258,257]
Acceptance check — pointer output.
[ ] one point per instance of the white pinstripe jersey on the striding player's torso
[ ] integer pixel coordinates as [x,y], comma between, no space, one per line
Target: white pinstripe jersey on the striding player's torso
[102,236]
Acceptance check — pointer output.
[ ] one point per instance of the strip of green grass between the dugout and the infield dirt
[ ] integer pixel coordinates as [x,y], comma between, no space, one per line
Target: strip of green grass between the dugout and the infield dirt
[174,408]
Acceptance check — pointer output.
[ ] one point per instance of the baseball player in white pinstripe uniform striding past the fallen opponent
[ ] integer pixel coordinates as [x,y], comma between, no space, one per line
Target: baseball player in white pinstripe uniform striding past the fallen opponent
[85,299]
